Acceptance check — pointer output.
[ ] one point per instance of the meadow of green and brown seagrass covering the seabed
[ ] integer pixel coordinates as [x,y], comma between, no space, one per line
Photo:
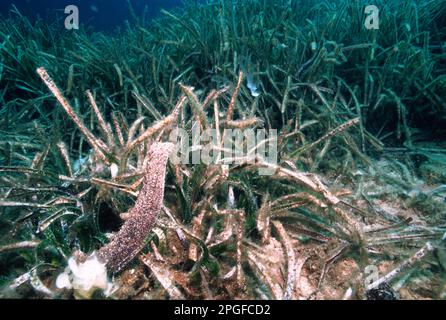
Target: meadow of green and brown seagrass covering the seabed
[90,207]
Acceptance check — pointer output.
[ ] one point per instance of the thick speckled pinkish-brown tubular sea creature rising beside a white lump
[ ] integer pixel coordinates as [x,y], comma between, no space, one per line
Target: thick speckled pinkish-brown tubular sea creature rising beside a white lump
[127,243]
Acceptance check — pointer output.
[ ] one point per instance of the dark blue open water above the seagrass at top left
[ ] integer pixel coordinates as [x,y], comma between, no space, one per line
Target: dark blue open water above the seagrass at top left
[102,15]
